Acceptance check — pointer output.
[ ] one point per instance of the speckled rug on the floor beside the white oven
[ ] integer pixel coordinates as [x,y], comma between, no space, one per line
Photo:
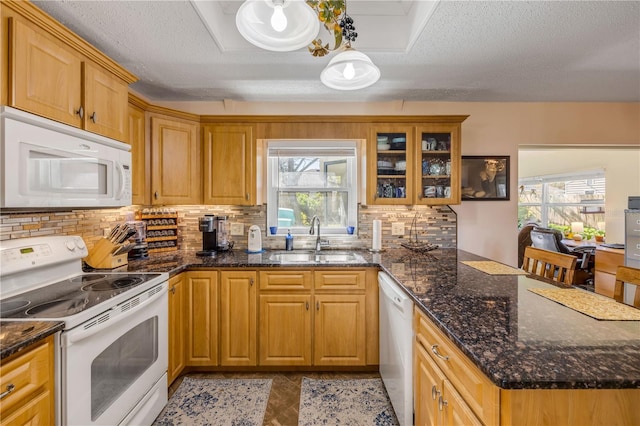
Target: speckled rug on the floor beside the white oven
[219,402]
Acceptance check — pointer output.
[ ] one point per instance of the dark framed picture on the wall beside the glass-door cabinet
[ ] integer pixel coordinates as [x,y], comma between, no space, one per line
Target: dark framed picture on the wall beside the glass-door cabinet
[485,178]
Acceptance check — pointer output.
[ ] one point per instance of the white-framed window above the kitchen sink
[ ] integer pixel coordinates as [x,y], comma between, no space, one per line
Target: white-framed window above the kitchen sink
[312,178]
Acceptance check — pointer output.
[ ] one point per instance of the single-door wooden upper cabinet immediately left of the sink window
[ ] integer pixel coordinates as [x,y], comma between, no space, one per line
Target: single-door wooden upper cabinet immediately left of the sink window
[229,164]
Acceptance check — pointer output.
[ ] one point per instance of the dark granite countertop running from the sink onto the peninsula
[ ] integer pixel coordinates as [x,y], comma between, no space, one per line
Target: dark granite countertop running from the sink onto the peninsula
[520,340]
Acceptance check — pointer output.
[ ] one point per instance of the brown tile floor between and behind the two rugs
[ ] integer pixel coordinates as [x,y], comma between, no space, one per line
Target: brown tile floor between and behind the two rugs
[284,399]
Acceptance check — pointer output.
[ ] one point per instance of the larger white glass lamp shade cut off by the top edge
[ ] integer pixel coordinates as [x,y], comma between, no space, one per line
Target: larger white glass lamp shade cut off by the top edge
[277,25]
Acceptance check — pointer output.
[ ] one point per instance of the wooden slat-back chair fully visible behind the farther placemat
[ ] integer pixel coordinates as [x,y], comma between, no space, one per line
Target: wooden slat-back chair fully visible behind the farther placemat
[549,264]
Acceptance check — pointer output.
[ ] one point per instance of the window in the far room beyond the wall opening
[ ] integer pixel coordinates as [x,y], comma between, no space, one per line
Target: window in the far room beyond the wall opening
[556,201]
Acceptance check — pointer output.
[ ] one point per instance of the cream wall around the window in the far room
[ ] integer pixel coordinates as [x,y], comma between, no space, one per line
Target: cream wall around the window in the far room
[622,172]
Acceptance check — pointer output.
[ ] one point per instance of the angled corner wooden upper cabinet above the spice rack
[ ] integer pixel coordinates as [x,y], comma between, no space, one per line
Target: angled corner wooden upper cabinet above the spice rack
[175,162]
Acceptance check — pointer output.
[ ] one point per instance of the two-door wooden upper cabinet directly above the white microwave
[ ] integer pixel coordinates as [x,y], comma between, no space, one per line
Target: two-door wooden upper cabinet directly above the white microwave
[55,74]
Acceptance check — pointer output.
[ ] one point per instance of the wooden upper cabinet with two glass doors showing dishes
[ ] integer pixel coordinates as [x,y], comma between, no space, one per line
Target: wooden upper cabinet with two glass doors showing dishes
[414,164]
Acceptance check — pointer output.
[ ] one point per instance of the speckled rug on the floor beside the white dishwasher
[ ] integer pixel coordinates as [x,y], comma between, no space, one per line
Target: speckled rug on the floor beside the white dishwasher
[345,402]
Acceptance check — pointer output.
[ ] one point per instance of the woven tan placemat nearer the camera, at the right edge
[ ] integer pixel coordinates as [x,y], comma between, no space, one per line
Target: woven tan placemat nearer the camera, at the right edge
[591,304]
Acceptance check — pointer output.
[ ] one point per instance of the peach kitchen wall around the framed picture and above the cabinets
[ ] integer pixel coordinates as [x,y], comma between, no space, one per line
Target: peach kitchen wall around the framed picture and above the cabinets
[488,228]
